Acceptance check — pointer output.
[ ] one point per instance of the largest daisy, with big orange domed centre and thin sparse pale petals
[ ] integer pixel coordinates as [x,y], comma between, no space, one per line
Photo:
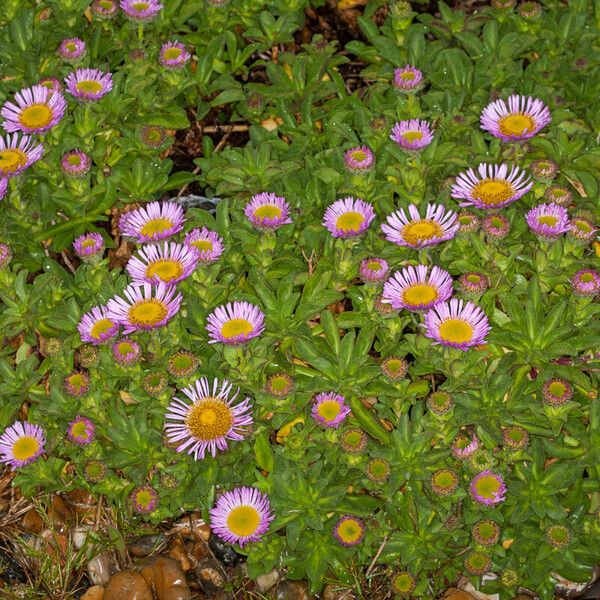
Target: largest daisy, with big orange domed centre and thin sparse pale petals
[209,421]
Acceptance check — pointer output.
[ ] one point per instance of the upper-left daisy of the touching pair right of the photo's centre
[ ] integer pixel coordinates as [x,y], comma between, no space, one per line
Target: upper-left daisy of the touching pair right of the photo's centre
[416,290]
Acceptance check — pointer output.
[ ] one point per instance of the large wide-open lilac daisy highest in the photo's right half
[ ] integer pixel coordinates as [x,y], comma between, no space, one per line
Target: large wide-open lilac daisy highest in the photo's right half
[523,118]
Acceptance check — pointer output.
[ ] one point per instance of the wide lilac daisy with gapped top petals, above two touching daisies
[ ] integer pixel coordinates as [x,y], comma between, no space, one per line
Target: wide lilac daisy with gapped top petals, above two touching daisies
[414,231]
